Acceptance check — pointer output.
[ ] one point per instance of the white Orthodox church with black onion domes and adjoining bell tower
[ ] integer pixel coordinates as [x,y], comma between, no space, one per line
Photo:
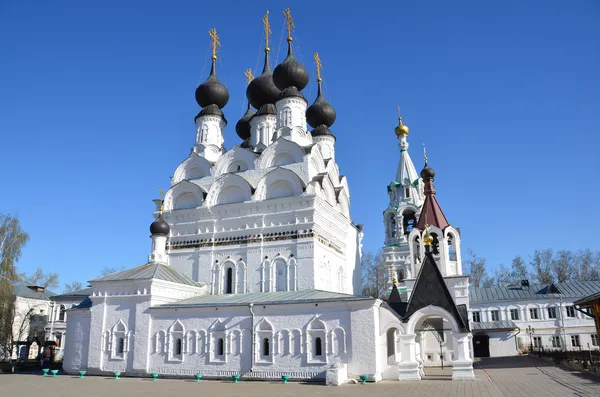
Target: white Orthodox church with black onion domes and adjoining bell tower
[255,261]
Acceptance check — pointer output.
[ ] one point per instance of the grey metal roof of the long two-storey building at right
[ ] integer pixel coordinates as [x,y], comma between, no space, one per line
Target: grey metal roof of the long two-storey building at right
[568,290]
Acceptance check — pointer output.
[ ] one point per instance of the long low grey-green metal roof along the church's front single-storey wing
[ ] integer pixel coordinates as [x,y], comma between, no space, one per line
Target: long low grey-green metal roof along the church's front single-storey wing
[264,298]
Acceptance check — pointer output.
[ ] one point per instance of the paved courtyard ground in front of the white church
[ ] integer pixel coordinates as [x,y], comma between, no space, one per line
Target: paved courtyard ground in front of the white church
[515,376]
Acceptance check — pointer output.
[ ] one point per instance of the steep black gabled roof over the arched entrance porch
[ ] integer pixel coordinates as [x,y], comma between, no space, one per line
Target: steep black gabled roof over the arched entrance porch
[430,289]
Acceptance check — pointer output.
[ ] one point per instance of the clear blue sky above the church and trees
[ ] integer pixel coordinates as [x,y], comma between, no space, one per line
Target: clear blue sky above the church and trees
[97,107]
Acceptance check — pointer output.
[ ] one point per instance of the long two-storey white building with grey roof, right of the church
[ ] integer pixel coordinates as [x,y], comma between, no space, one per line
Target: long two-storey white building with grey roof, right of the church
[501,317]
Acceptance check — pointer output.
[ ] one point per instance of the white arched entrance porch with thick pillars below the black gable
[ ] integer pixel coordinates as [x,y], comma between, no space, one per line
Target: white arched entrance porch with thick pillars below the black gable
[452,346]
